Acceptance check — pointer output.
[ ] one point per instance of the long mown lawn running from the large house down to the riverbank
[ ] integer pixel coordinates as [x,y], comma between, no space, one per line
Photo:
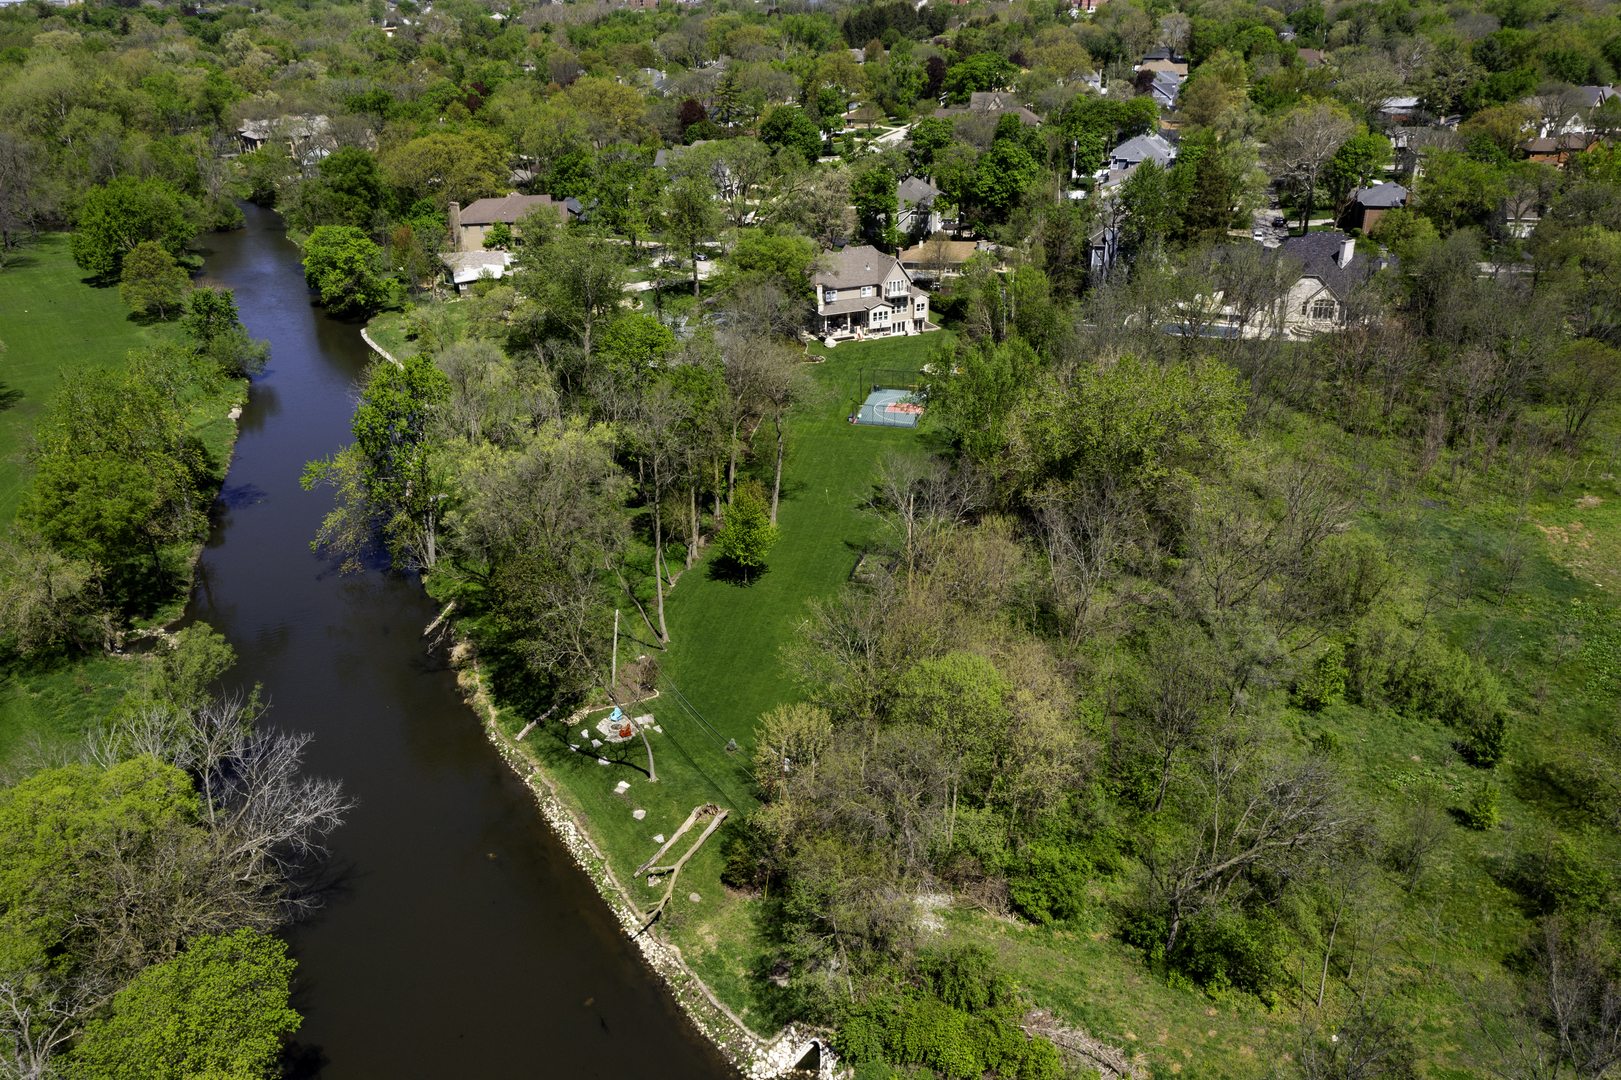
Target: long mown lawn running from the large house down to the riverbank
[725,658]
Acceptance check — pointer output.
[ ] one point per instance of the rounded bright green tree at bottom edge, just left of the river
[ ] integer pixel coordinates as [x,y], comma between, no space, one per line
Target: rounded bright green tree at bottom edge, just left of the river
[220,1009]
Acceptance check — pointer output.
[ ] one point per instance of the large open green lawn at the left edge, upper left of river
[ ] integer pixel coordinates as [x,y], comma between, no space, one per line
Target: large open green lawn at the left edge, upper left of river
[54,324]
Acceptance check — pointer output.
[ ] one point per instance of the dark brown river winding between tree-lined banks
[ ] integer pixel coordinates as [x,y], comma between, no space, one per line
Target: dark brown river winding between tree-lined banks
[463,941]
